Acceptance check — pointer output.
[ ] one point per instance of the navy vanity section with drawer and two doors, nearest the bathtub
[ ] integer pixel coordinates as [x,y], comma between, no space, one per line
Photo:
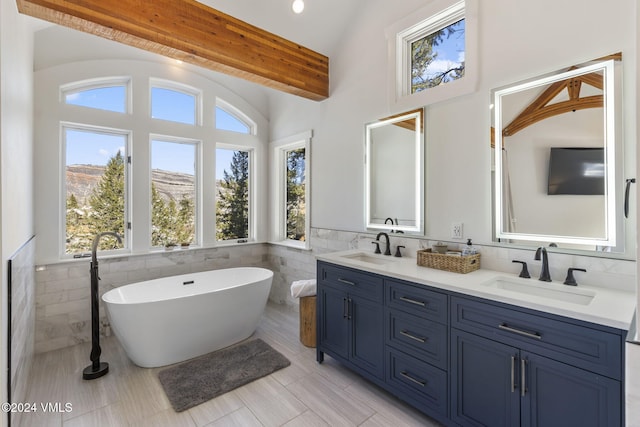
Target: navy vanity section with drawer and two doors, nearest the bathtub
[350,319]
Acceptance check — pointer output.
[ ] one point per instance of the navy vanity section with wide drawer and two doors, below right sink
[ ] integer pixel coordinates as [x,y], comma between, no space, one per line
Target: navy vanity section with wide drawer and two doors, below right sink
[512,367]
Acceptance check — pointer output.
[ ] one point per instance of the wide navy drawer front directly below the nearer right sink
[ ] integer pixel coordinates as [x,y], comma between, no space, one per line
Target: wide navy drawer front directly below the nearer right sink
[592,349]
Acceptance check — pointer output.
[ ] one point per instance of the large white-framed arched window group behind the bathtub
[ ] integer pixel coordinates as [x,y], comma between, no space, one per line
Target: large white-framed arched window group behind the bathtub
[145,153]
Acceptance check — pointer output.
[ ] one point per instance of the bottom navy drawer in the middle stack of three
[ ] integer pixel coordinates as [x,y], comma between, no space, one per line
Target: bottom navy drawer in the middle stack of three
[417,382]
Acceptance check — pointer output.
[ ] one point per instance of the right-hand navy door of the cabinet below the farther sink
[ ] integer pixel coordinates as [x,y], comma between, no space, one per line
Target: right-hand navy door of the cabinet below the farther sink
[367,343]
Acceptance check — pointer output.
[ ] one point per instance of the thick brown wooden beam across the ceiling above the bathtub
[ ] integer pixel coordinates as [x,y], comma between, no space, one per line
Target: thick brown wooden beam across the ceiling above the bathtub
[195,33]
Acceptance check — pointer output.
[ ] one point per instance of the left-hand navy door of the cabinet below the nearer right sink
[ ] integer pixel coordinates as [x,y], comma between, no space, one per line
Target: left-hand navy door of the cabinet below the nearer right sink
[484,378]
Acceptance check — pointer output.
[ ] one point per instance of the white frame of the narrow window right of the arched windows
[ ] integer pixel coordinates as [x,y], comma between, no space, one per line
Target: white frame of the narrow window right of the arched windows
[279,189]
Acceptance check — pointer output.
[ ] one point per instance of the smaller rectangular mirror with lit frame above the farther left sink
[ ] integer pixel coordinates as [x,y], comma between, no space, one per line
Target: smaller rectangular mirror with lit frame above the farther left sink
[394,174]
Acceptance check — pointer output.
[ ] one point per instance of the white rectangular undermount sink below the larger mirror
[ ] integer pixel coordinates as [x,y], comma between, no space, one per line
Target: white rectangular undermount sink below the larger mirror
[550,290]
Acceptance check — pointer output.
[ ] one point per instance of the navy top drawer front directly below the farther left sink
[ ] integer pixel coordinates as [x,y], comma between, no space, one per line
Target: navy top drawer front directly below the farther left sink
[352,281]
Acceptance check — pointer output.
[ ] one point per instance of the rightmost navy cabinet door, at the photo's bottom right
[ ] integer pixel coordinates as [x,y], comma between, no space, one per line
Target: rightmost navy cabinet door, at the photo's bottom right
[557,394]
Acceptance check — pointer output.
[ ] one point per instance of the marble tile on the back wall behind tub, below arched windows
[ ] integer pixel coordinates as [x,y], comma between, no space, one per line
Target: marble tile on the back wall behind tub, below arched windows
[63,314]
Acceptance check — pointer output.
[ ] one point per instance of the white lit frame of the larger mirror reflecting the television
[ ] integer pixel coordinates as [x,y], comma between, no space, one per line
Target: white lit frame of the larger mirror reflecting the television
[607,67]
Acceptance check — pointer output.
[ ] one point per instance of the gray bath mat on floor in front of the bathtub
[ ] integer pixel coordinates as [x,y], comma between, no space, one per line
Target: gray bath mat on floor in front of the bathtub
[198,380]
